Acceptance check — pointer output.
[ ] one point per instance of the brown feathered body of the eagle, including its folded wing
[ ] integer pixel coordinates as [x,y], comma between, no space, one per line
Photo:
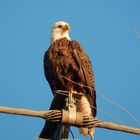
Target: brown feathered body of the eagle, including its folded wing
[67,58]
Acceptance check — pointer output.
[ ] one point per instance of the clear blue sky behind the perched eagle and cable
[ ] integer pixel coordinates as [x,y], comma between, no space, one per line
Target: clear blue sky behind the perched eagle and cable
[104,28]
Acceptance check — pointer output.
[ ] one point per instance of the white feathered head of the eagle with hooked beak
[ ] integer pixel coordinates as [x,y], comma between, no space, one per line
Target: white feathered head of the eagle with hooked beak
[59,30]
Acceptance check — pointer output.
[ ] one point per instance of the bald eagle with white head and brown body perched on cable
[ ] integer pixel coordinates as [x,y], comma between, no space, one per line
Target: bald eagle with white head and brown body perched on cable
[67,58]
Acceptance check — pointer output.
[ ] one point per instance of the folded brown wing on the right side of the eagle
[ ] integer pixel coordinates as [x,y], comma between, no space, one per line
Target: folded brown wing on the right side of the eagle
[86,73]
